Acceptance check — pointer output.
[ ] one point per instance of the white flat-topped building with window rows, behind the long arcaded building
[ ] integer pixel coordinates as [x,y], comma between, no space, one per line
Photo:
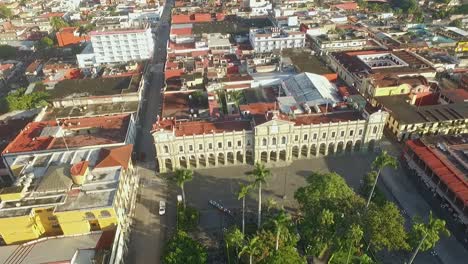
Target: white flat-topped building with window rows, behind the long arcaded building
[269,39]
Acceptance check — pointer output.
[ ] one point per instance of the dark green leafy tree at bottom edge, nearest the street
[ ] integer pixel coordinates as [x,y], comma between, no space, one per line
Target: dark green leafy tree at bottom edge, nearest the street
[183,249]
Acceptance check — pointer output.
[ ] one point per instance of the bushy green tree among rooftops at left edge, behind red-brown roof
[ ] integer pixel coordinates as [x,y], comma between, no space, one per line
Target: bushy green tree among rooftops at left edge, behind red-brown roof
[18,100]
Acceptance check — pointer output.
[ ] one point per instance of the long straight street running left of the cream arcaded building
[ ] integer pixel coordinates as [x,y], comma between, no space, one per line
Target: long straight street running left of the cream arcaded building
[150,229]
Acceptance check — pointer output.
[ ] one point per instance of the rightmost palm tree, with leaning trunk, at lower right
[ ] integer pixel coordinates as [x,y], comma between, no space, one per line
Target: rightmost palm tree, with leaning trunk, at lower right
[427,234]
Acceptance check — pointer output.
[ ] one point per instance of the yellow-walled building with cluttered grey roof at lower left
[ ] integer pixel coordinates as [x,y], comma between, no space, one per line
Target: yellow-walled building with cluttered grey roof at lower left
[53,198]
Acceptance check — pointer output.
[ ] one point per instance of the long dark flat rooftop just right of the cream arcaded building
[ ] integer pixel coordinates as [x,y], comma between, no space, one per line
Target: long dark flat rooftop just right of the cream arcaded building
[409,114]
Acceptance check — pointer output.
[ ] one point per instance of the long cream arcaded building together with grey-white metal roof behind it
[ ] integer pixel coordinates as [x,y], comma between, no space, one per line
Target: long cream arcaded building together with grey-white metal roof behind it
[312,120]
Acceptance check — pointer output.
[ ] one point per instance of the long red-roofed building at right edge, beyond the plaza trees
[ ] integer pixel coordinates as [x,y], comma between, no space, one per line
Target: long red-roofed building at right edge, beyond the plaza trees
[441,165]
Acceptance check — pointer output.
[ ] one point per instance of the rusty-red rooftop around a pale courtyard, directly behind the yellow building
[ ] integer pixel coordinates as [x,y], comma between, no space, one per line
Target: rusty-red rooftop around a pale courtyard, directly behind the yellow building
[71,133]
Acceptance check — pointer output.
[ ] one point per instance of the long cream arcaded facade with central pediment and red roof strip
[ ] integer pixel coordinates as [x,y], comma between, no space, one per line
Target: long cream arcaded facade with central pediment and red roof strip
[269,139]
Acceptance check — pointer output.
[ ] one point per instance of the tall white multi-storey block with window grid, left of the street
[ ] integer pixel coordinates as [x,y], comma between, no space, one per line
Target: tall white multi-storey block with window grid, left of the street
[117,46]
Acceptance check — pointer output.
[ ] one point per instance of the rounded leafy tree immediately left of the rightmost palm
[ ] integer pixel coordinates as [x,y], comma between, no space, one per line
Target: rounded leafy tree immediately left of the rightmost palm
[385,228]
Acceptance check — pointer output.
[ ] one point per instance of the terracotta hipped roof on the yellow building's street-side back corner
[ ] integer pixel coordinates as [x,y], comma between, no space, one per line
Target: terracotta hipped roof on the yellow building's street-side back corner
[119,156]
